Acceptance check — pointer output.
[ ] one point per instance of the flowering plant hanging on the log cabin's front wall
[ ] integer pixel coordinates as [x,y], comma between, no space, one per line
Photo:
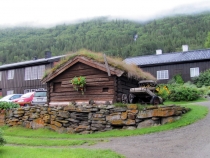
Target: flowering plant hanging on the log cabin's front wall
[79,83]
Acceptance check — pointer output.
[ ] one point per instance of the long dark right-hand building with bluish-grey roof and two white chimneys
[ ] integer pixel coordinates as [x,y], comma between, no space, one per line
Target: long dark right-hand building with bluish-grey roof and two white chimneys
[188,63]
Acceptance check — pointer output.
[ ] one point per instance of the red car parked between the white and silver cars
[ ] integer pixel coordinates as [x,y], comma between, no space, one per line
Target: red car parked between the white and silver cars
[25,99]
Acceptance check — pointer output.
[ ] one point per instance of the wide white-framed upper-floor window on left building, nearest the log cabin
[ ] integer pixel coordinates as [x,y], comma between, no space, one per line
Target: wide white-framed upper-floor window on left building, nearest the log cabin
[34,72]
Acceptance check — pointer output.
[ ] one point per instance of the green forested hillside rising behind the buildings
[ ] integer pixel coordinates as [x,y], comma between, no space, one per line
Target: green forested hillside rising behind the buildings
[117,37]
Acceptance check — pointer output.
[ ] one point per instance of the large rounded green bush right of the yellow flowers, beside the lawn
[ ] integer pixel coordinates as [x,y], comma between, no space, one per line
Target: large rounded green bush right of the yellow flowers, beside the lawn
[184,93]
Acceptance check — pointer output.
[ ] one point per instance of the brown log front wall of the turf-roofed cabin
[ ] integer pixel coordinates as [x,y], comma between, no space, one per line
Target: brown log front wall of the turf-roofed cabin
[99,87]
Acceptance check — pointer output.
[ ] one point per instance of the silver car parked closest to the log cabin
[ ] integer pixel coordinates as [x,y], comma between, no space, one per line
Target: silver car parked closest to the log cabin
[40,97]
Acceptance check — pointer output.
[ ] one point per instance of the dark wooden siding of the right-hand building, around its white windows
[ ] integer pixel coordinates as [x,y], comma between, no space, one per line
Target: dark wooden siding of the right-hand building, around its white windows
[179,68]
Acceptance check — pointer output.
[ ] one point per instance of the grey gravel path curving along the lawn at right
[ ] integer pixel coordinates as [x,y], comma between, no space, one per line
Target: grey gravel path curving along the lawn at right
[191,141]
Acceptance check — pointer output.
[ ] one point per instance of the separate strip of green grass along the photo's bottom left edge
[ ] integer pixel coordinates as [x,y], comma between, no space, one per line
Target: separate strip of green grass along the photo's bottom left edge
[28,152]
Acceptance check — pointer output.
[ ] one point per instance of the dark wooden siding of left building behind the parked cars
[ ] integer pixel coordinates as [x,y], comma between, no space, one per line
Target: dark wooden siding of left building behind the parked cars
[18,84]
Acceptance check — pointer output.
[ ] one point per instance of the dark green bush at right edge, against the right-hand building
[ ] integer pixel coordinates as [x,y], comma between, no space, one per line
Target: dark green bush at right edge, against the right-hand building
[202,79]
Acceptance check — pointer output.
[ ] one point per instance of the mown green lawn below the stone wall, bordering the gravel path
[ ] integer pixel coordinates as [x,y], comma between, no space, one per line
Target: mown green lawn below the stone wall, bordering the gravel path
[29,142]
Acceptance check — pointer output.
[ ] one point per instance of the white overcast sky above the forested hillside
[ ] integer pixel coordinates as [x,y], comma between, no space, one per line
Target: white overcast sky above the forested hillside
[47,13]
